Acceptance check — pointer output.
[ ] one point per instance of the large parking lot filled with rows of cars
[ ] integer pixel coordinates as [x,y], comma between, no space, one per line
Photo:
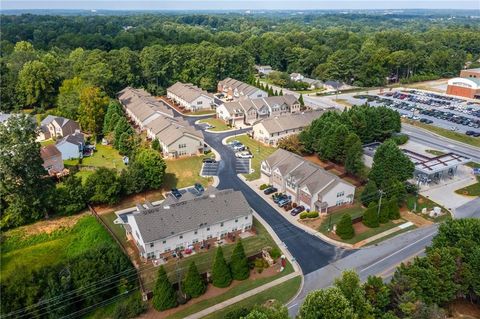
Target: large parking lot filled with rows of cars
[431,108]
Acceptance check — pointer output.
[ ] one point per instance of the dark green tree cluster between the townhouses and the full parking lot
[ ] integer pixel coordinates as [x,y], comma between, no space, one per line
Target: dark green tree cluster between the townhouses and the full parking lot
[339,137]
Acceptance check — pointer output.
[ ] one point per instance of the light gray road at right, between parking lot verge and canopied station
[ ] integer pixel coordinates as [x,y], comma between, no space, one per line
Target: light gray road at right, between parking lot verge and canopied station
[430,139]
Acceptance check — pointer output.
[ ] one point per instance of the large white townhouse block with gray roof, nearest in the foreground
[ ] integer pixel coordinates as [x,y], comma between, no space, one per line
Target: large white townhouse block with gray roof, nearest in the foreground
[179,224]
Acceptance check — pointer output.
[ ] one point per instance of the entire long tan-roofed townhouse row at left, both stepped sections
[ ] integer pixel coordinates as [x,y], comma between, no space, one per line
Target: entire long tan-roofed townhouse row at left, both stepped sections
[176,137]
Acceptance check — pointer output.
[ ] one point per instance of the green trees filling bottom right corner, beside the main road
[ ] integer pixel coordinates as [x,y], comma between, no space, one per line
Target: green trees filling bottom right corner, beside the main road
[419,289]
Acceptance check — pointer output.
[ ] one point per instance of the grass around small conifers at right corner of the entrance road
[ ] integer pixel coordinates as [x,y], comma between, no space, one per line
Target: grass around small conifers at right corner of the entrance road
[355,212]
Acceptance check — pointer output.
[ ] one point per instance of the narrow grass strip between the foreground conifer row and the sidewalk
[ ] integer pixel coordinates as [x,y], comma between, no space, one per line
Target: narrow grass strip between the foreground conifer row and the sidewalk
[244,286]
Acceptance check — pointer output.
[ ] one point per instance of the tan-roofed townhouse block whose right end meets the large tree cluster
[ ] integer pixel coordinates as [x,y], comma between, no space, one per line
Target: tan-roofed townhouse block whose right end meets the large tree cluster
[272,129]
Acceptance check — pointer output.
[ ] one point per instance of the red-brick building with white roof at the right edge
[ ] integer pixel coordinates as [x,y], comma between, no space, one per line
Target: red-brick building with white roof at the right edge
[467,85]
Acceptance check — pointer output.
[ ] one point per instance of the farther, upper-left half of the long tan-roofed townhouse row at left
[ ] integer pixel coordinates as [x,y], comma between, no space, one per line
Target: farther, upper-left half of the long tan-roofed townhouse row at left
[141,107]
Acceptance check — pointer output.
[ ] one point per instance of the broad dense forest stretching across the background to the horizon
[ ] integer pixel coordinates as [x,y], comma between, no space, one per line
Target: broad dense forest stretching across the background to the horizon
[154,51]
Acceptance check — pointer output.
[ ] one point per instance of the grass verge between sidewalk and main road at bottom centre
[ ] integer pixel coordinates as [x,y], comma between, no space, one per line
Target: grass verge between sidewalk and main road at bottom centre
[282,293]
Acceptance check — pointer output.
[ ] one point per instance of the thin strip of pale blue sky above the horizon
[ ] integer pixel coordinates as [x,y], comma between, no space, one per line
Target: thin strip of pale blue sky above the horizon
[474,5]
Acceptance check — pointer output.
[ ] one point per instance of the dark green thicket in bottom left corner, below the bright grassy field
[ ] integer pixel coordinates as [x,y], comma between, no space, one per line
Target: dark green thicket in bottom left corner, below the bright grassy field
[73,285]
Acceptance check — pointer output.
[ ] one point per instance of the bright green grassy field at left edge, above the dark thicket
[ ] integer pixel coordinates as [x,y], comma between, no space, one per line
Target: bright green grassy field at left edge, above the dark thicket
[21,249]
